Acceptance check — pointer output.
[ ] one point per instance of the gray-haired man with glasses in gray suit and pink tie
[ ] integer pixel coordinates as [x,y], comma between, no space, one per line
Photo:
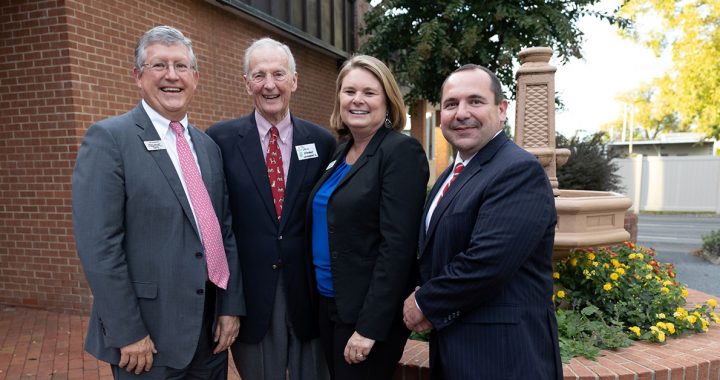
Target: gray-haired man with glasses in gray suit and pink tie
[153,229]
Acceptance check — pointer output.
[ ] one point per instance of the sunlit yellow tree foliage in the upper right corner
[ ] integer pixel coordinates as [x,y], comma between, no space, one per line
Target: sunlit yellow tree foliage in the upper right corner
[691,29]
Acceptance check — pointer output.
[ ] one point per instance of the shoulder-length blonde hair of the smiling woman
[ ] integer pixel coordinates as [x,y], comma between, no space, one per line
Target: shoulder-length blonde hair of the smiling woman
[393,97]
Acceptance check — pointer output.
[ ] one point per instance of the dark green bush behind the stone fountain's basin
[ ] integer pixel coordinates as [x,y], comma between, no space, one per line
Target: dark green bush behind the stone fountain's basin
[589,167]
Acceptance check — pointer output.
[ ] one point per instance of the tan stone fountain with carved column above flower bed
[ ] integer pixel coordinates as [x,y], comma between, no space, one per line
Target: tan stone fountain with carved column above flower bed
[585,218]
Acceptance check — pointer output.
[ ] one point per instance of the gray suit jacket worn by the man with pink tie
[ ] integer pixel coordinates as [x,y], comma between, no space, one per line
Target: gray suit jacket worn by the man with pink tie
[138,243]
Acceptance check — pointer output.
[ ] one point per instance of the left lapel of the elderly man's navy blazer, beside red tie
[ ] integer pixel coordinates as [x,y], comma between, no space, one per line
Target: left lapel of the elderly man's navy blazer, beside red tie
[248,145]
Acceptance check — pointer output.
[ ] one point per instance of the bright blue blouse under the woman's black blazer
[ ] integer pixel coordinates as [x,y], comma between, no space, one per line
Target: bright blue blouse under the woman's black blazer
[320,243]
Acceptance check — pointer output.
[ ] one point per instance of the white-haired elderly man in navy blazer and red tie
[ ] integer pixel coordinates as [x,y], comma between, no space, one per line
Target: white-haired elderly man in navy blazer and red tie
[272,160]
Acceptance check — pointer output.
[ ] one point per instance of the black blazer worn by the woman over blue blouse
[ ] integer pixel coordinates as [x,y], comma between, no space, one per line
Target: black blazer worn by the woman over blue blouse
[372,219]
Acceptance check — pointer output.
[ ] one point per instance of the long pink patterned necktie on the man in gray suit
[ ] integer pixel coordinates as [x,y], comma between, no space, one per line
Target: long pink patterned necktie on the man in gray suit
[218,271]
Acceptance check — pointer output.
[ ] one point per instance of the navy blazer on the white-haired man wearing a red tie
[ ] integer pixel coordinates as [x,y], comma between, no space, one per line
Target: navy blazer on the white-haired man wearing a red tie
[265,245]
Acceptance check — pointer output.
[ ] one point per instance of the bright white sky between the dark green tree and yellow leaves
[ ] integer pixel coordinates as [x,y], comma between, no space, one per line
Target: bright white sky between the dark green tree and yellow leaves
[610,65]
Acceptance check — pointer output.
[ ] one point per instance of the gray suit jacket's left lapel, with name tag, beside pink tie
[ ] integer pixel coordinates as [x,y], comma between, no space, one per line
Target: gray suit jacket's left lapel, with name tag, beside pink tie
[146,132]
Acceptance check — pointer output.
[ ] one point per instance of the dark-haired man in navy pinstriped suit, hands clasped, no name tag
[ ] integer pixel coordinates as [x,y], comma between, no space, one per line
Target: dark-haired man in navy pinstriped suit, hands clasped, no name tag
[486,247]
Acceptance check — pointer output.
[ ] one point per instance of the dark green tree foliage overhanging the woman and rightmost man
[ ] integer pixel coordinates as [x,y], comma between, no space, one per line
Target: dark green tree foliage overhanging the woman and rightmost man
[425,40]
